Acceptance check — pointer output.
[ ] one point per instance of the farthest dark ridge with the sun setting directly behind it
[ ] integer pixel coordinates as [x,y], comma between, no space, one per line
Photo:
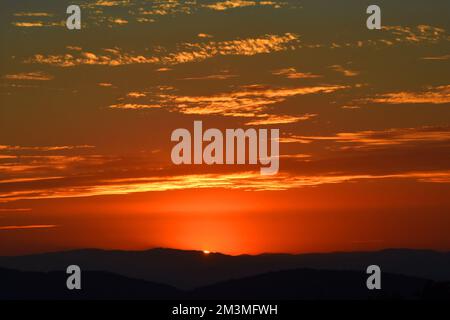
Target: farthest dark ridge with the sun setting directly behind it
[191,269]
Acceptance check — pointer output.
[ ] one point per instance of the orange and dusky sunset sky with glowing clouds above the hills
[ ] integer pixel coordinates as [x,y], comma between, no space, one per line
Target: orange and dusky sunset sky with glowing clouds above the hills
[86,118]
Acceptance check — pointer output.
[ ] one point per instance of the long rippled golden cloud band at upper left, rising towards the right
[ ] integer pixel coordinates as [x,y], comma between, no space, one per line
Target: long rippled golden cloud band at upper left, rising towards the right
[190,52]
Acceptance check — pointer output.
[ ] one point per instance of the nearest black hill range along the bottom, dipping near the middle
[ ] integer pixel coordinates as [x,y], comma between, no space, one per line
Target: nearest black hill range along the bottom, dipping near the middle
[299,284]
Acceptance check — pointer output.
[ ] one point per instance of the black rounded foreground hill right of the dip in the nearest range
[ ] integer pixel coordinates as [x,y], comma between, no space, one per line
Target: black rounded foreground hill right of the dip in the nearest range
[308,284]
